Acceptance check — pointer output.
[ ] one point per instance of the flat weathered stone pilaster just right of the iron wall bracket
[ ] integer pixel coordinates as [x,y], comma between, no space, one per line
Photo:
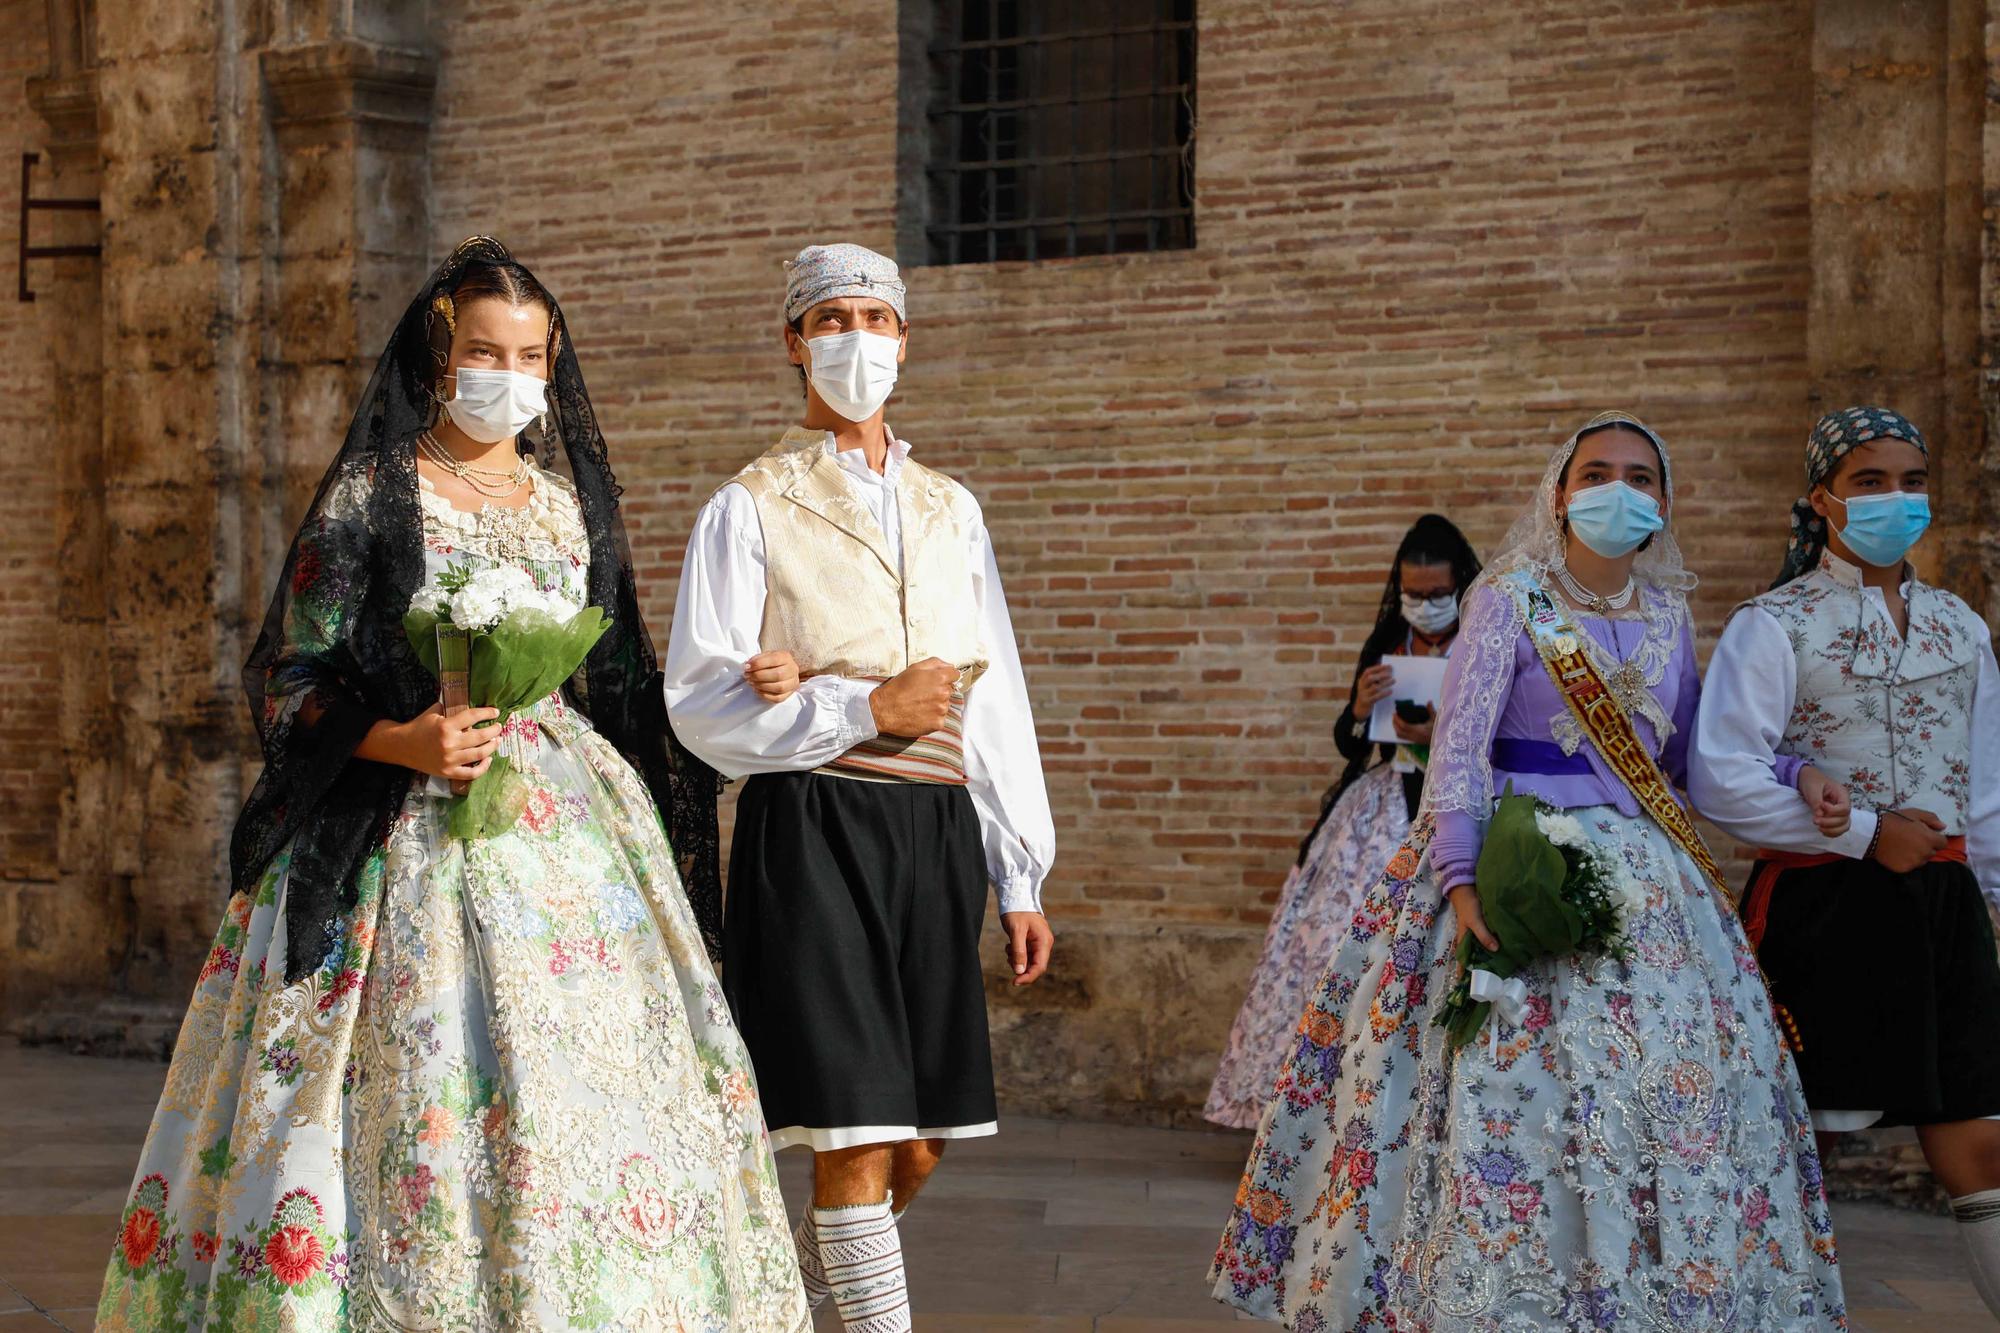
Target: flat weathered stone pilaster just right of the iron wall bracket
[175,393]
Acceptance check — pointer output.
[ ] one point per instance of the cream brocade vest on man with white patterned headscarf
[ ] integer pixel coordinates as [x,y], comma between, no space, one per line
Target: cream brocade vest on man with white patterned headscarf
[835,597]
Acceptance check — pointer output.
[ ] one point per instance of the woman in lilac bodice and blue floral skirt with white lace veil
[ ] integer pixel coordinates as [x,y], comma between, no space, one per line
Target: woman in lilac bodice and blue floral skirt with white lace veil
[1629,1146]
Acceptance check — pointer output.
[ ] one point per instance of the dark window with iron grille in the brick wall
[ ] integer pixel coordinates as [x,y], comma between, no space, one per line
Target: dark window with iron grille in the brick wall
[1047,129]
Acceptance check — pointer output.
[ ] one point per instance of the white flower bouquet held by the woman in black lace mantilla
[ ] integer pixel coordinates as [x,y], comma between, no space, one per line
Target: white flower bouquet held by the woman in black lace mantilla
[519,645]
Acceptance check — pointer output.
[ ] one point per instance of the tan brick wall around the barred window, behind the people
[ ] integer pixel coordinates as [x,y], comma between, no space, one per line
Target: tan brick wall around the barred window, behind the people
[1433,239]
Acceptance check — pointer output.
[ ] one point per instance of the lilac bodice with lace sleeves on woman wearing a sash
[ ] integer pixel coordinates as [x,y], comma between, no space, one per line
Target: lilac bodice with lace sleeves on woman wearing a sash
[1499,692]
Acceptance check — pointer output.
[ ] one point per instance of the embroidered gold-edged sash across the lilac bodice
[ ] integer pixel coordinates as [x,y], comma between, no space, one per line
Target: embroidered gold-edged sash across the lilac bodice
[1565,653]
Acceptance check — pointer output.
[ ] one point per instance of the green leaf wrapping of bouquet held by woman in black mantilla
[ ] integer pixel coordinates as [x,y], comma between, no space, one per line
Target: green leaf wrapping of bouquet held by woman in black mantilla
[517,663]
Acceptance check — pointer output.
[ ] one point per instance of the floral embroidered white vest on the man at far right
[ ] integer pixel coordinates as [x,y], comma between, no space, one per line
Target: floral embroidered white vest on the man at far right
[1885,714]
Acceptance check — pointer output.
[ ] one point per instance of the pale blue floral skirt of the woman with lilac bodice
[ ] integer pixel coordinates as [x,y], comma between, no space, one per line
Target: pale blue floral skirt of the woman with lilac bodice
[1633,1156]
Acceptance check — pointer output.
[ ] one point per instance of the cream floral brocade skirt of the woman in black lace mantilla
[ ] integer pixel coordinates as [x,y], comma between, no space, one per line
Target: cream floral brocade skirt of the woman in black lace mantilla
[511,1098]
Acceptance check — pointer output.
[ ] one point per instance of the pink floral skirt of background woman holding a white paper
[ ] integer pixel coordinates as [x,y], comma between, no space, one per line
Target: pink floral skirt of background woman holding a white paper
[1315,908]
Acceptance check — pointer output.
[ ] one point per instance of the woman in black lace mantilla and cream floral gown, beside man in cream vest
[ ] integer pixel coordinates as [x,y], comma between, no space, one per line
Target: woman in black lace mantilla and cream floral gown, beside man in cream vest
[461,1082]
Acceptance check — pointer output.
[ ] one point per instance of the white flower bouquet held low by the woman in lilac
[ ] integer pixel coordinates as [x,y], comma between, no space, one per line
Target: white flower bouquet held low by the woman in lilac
[1545,890]
